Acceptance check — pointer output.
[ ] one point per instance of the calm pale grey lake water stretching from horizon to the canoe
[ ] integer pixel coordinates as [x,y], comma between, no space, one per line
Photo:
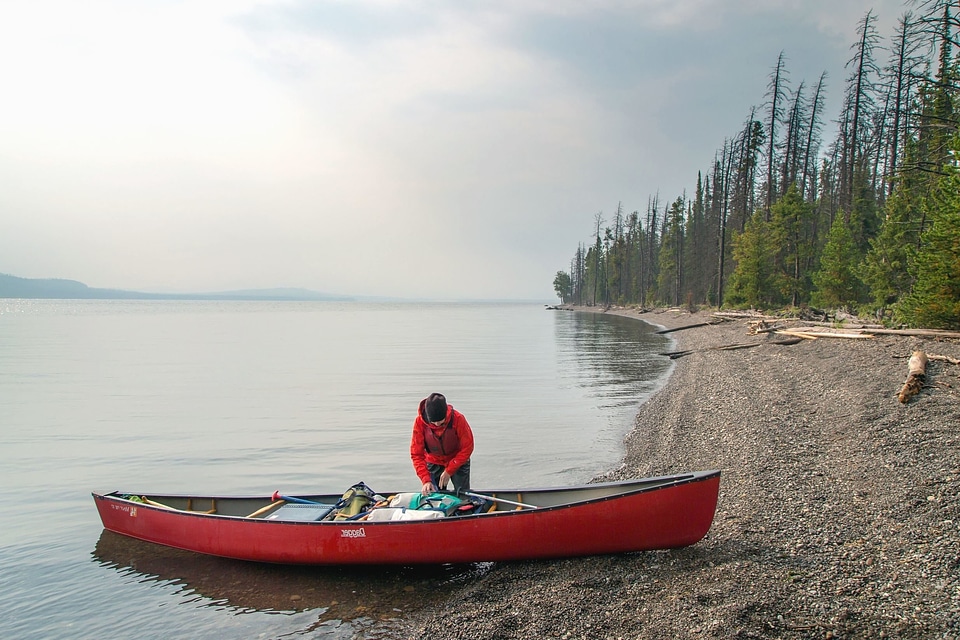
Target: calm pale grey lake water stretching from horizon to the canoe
[253,397]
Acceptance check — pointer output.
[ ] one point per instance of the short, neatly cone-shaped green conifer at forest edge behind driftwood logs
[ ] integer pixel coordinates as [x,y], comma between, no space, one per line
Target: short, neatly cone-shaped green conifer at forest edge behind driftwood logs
[836,281]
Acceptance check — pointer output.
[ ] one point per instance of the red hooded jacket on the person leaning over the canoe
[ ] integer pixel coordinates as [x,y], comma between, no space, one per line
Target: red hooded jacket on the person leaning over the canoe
[449,445]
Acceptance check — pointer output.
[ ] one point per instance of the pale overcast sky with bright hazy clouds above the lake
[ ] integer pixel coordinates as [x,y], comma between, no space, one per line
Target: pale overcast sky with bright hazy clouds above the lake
[456,149]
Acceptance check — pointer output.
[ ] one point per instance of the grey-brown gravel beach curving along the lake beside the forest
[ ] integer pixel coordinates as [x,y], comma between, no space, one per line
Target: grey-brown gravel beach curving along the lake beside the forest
[838,514]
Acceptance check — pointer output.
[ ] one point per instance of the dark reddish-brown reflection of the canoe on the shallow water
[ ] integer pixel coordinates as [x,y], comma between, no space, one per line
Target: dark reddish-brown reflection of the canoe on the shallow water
[340,594]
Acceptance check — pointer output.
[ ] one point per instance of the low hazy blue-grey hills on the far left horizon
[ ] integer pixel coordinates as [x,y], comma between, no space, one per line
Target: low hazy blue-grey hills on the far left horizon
[55,288]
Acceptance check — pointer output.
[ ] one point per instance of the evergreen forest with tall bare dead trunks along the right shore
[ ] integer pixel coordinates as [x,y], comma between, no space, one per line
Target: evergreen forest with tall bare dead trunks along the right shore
[861,214]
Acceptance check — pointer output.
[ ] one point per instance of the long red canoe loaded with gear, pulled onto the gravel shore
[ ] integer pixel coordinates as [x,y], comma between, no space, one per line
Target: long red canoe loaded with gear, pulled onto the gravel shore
[636,515]
